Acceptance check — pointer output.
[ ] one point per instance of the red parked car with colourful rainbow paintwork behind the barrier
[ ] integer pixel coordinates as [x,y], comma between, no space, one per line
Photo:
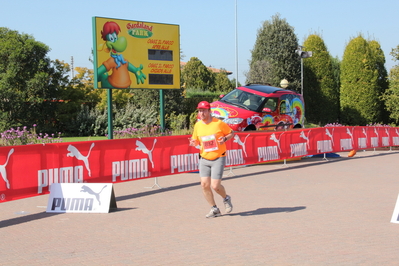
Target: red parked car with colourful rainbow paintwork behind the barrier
[260,107]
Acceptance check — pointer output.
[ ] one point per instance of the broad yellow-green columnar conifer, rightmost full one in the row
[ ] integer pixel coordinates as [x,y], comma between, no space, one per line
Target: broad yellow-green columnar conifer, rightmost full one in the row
[361,90]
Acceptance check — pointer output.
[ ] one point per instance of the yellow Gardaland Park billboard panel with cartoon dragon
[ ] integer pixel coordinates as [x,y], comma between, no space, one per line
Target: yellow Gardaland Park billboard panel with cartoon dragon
[135,54]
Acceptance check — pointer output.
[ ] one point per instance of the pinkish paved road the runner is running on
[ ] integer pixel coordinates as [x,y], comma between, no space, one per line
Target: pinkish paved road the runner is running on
[313,212]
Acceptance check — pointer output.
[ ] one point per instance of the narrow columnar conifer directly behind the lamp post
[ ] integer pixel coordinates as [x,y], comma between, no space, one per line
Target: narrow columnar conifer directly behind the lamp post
[320,88]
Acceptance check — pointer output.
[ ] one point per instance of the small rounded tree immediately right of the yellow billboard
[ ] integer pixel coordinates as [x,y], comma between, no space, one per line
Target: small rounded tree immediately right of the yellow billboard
[196,75]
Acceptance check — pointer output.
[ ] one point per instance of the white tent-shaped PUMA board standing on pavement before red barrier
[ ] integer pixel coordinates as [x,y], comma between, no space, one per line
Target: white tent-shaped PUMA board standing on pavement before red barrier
[81,198]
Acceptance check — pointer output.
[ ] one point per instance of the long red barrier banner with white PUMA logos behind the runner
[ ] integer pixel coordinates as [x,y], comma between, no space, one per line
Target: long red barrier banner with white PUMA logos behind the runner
[29,170]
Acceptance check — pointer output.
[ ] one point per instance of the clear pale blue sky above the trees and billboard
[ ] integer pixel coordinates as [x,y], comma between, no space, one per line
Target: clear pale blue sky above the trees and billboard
[220,33]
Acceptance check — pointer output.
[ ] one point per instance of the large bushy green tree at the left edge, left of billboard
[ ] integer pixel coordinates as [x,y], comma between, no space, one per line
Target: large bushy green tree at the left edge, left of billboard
[29,81]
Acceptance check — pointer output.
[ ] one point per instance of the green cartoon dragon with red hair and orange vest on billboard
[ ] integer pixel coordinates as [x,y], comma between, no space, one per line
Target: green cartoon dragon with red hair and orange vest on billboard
[120,67]
